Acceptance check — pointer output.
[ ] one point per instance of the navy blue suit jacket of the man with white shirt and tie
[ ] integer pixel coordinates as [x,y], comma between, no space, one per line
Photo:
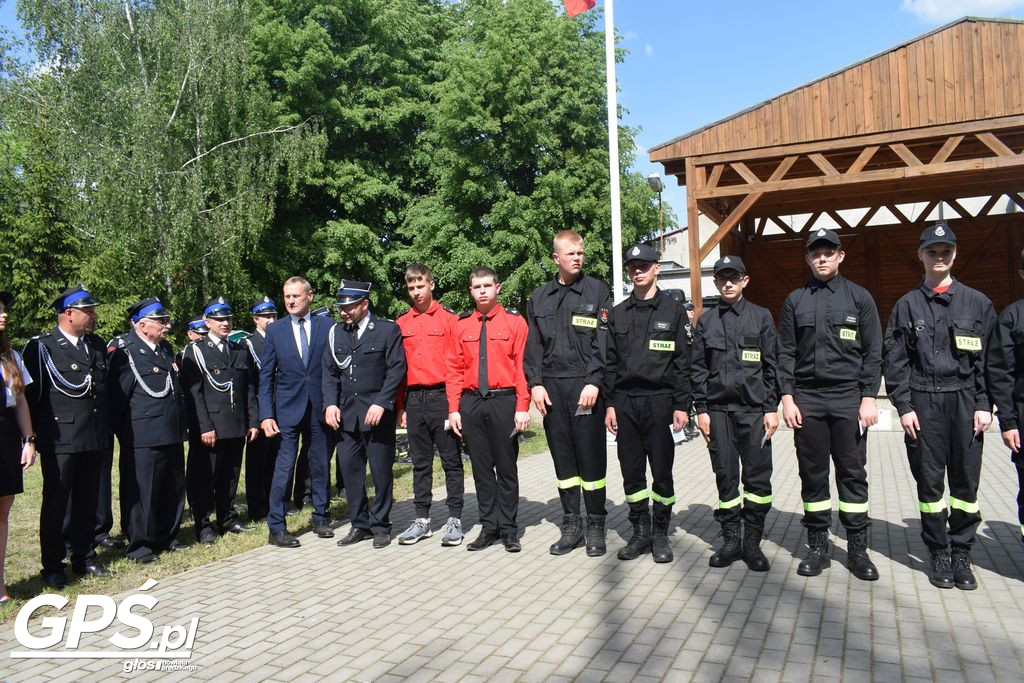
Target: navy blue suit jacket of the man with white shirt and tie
[286,387]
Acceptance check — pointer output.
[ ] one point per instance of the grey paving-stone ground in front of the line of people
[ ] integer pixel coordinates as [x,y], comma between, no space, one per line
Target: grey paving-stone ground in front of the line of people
[426,613]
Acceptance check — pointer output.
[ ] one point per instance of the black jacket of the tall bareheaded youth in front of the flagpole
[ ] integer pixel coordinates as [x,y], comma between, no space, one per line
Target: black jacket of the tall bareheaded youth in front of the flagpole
[569,332]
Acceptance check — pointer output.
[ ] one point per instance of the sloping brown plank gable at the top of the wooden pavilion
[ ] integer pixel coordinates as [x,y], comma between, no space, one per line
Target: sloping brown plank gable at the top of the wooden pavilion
[970,70]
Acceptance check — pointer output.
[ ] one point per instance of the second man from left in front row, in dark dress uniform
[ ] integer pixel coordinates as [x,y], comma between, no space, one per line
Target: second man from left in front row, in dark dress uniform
[149,407]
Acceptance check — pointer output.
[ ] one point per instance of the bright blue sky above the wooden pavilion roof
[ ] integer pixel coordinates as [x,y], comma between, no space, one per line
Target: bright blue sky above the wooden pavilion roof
[692,62]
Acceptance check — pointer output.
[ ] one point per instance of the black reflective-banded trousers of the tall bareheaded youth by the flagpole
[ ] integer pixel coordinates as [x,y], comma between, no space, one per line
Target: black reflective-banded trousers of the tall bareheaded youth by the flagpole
[578,447]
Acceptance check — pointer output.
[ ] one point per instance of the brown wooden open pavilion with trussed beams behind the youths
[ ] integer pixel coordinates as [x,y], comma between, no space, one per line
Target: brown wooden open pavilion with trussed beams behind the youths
[931,122]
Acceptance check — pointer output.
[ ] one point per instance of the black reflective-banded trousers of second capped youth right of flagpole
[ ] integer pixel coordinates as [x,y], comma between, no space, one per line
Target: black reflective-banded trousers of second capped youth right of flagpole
[736,442]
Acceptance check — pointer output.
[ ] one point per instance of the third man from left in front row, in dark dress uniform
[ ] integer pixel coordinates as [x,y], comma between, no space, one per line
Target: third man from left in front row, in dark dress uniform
[218,377]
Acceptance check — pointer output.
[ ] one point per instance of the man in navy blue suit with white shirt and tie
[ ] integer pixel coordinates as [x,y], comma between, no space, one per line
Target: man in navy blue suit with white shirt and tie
[290,405]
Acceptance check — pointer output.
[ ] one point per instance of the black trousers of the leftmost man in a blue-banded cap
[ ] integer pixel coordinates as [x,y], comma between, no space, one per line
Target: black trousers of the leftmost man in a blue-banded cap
[71,489]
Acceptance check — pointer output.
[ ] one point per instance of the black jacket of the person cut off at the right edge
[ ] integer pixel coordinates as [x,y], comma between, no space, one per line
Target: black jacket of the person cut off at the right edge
[1005,366]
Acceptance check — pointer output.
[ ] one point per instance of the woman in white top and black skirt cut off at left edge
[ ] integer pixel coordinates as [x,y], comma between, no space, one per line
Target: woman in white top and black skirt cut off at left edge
[18,442]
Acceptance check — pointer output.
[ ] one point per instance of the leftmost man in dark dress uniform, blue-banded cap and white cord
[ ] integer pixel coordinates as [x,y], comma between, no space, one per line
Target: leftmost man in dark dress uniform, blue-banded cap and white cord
[69,406]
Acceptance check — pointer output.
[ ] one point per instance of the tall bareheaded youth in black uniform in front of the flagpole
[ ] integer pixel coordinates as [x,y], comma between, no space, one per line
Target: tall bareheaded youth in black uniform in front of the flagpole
[566,361]
